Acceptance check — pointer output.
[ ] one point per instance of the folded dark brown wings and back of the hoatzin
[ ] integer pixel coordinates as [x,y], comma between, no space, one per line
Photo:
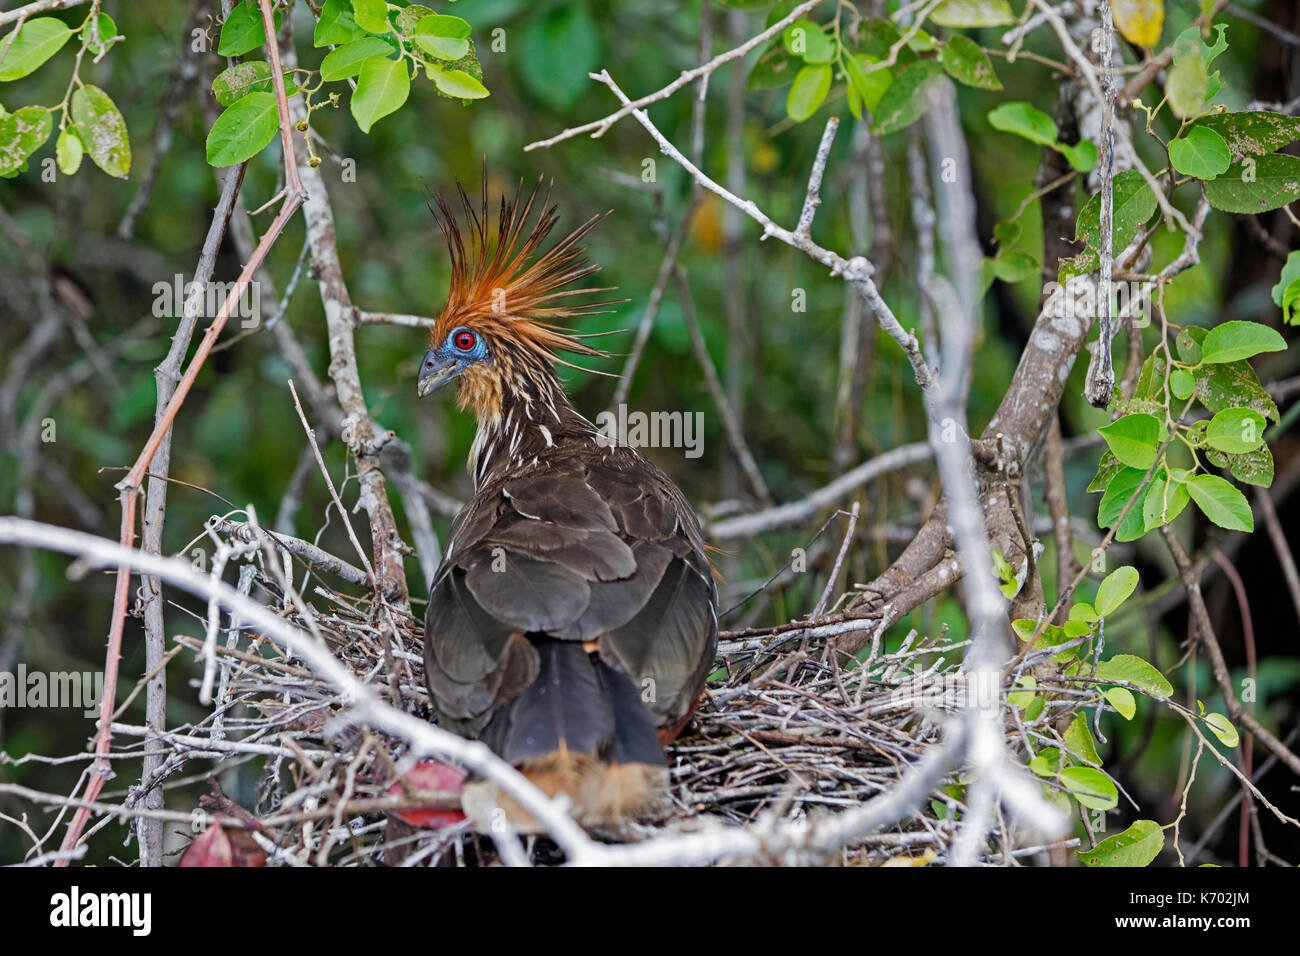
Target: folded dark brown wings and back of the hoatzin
[588,546]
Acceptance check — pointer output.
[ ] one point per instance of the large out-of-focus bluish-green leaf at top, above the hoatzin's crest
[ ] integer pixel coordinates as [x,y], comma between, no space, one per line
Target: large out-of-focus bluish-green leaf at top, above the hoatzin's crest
[557,53]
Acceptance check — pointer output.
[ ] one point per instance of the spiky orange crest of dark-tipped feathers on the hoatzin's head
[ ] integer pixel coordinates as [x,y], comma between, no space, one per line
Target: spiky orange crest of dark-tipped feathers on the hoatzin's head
[502,285]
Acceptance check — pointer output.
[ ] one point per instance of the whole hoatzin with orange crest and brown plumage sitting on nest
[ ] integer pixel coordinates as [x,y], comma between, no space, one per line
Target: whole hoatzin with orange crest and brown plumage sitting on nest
[574,618]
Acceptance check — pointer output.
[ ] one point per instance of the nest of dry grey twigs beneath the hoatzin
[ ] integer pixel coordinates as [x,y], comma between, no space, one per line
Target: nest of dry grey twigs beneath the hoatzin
[786,737]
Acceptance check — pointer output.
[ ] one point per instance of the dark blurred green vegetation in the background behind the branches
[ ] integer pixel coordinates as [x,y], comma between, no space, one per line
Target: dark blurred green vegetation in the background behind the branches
[240,438]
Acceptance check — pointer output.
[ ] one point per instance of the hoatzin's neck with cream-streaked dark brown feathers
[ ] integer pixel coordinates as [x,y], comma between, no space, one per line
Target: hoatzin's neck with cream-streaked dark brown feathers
[530,416]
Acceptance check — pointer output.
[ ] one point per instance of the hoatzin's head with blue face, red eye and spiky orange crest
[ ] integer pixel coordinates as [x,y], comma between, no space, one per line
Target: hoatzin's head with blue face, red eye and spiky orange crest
[497,334]
